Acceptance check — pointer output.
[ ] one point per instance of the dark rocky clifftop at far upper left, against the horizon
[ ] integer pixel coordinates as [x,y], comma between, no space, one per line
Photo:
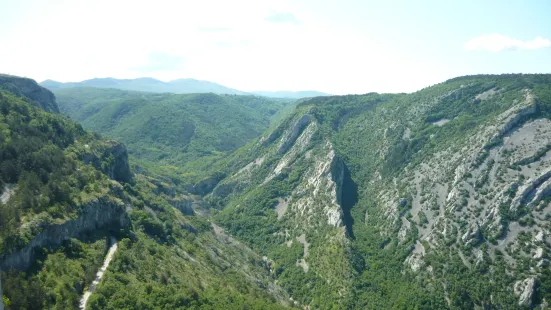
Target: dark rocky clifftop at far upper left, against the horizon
[27,88]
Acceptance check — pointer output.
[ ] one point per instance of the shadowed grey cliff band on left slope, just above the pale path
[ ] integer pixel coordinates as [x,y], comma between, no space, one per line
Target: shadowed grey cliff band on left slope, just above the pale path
[97,214]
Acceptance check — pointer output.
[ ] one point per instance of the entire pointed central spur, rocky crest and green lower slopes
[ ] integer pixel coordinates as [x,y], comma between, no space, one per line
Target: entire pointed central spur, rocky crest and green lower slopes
[288,204]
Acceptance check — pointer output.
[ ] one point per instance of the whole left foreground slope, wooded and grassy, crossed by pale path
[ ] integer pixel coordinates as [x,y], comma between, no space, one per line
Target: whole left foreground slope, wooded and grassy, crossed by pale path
[65,193]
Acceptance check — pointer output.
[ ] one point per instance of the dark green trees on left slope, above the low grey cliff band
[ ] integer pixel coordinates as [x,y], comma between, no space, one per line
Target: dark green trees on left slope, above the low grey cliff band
[40,156]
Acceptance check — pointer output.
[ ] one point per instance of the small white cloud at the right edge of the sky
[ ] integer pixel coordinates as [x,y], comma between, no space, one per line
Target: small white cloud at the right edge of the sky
[498,43]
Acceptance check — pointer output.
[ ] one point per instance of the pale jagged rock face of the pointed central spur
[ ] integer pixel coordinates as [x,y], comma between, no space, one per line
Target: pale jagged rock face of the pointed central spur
[310,214]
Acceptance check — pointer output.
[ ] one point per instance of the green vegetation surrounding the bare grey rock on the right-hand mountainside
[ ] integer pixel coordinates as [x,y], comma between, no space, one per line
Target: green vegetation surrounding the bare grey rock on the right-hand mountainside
[368,133]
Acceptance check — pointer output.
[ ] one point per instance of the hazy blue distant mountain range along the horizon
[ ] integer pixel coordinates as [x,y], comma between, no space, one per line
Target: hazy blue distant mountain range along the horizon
[180,86]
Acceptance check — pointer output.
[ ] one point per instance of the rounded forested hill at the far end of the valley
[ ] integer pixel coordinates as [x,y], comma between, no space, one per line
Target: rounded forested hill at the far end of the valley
[172,130]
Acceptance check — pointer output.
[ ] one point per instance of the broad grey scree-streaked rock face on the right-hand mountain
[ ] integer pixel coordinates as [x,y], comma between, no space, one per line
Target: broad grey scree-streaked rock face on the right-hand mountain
[480,198]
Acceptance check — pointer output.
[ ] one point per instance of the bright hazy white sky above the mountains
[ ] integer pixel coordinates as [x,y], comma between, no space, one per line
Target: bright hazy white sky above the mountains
[337,47]
